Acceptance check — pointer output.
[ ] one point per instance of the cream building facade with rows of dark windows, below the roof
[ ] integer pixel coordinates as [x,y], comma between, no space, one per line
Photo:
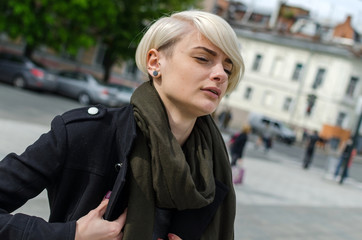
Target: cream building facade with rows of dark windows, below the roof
[306,84]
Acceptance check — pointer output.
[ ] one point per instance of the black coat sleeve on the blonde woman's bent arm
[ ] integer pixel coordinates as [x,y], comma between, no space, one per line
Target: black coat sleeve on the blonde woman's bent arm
[23,177]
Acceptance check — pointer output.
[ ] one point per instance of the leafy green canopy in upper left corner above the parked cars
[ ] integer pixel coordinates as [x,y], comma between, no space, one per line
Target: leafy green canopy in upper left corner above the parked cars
[60,25]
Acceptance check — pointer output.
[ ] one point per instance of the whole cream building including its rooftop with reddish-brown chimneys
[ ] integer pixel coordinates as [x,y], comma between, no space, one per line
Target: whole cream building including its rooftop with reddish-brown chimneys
[299,71]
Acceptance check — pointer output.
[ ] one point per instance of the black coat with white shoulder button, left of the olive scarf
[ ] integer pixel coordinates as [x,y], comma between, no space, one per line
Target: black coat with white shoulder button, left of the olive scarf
[77,161]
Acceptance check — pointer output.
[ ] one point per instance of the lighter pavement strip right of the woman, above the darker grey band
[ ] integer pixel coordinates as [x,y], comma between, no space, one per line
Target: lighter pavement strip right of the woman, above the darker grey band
[271,183]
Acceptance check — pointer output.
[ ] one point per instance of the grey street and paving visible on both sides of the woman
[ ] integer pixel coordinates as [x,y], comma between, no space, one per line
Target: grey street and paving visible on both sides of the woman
[278,200]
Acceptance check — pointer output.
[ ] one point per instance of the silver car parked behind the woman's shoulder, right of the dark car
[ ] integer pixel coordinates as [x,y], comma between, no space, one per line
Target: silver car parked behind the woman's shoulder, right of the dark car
[87,89]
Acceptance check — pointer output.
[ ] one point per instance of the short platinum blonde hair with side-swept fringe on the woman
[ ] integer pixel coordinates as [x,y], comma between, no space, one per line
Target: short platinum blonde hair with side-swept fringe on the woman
[167,31]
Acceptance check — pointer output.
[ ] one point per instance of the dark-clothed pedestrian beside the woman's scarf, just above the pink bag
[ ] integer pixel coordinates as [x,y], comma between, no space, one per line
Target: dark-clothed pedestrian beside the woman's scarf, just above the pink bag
[237,144]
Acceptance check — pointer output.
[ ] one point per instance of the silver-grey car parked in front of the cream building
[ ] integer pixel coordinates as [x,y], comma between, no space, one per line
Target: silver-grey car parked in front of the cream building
[281,131]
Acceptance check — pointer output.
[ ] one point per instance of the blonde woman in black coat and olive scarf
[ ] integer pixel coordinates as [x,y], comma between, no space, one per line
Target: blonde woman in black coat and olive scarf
[161,160]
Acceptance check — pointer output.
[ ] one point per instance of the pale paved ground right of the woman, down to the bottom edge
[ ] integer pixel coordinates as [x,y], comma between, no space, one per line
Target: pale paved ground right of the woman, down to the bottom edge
[282,201]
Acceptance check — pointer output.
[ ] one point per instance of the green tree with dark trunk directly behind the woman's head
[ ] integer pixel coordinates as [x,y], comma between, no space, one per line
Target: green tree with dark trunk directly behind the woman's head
[122,35]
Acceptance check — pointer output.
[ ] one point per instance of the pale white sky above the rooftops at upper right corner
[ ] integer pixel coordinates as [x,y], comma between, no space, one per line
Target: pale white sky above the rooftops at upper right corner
[333,11]
